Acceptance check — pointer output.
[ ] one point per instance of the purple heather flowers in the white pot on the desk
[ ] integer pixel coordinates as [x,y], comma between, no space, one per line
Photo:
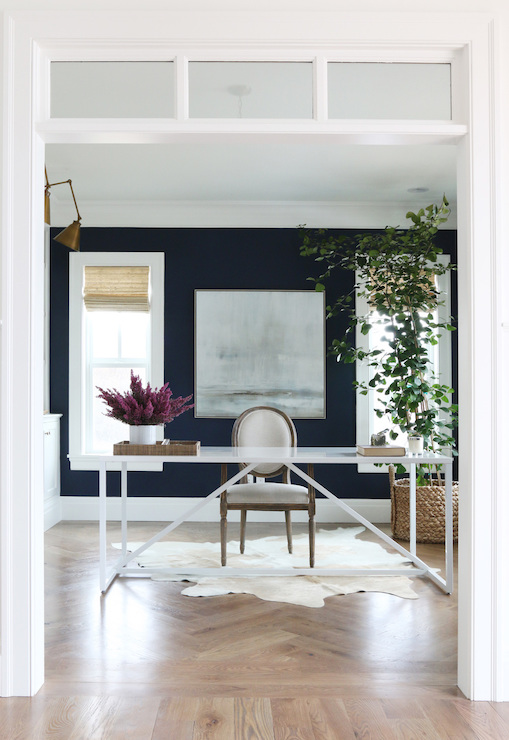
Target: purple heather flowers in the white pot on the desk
[144,405]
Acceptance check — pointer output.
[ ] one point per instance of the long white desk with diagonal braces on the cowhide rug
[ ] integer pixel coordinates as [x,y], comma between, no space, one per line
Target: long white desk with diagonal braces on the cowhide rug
[253,456]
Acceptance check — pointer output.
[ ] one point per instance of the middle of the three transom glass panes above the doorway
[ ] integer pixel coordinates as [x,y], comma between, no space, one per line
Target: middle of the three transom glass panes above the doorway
[251,90]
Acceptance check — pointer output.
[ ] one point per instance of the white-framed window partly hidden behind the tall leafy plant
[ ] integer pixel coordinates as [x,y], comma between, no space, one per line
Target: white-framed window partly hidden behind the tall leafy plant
[368,422]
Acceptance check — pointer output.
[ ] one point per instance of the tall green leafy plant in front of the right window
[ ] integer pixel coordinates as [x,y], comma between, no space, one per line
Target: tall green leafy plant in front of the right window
[396,273]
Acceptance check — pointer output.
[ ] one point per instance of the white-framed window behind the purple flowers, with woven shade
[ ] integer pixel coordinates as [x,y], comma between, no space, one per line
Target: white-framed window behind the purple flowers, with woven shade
[116,305]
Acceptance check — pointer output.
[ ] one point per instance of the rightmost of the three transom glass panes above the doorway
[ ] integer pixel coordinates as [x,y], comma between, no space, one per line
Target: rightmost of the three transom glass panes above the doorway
[389,91]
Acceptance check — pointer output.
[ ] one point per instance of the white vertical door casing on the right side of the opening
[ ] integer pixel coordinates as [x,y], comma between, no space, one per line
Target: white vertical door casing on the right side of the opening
[481,639]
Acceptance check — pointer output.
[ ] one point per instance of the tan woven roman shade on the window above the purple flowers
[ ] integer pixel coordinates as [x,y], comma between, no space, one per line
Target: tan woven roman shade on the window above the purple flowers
[123,288]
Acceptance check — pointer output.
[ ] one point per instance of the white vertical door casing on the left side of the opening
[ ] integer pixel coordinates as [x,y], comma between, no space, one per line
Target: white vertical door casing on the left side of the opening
[21,385]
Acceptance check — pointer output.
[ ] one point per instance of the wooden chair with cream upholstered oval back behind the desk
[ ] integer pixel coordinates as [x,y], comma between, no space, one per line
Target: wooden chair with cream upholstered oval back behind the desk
[264,426]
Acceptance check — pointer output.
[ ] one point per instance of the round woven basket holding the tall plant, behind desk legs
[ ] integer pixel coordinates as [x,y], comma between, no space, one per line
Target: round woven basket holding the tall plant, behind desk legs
[430,510]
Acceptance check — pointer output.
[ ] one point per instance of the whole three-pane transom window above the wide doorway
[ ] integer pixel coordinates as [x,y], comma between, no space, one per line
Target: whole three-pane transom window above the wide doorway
[270,89]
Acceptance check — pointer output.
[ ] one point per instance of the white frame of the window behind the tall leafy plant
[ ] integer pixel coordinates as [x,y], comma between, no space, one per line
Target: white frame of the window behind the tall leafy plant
[365,412]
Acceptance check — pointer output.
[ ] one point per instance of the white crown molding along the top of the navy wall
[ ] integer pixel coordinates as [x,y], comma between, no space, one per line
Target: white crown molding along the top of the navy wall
[239,214]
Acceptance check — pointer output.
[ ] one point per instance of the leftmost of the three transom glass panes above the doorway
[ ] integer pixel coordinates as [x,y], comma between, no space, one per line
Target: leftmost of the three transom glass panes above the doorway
[112,90]
